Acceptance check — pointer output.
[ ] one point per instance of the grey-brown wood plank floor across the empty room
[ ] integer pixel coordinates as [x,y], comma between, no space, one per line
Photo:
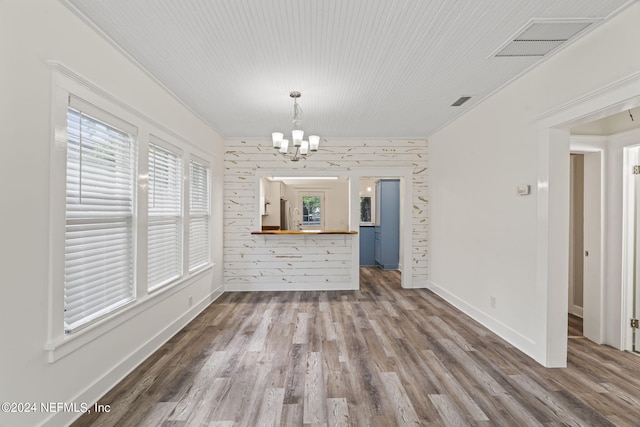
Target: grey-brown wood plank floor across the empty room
[380,356]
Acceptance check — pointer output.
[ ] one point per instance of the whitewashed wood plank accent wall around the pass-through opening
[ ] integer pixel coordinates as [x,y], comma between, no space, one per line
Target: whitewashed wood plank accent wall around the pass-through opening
[259,262]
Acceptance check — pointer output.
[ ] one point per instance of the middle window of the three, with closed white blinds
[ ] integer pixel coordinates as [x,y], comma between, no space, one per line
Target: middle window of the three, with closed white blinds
[164,240]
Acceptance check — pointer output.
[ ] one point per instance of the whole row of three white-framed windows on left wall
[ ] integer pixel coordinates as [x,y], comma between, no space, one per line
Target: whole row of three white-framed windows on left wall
[119,213]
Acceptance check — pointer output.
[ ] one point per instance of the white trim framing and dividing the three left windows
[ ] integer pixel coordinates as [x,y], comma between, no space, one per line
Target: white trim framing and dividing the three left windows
[64,83]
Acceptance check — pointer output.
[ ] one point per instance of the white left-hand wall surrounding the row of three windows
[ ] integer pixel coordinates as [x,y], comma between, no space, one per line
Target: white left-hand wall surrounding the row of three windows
[31,33]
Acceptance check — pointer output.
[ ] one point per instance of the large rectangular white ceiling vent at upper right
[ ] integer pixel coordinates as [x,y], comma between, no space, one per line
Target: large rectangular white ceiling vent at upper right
[540,37]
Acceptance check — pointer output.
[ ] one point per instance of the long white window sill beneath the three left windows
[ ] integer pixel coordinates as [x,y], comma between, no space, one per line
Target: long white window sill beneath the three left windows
[62,346]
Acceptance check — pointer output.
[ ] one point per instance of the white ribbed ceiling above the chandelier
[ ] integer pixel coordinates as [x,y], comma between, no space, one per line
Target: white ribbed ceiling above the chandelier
[366,68]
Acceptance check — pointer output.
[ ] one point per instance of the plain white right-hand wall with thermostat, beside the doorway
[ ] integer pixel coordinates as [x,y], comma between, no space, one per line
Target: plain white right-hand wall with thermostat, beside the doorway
[484,238]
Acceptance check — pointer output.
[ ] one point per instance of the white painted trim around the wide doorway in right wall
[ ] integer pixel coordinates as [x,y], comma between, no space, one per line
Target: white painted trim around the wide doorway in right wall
[553,148]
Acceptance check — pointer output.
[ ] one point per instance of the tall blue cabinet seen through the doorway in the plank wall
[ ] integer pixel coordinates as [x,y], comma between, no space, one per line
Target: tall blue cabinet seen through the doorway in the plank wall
[387,229]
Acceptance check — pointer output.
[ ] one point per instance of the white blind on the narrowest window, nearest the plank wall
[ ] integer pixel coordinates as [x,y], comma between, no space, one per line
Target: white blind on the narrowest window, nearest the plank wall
[199,217]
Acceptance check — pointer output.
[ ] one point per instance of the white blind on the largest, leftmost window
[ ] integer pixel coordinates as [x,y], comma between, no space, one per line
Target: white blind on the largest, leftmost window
[99,218]
